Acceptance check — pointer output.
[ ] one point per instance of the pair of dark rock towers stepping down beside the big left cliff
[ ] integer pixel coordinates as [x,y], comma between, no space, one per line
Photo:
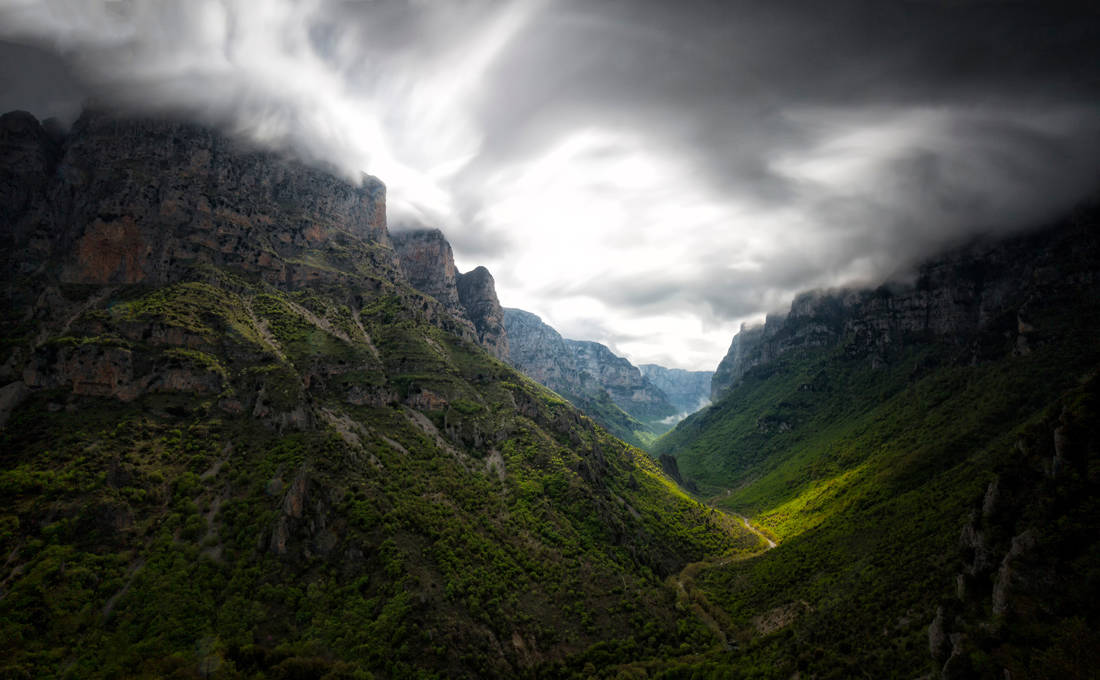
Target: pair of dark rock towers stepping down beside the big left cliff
[427,261]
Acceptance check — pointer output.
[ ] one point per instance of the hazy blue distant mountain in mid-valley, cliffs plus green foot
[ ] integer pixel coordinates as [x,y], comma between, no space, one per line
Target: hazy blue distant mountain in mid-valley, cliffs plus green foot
[607,387]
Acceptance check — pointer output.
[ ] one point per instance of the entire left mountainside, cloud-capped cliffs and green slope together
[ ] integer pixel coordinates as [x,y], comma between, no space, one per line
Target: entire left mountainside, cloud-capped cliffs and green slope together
[238,443]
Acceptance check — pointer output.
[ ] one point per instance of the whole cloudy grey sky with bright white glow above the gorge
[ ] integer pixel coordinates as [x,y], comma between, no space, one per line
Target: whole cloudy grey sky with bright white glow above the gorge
[645,174]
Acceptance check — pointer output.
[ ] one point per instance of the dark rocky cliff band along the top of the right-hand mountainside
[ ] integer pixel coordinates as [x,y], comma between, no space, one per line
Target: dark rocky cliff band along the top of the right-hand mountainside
[984,288]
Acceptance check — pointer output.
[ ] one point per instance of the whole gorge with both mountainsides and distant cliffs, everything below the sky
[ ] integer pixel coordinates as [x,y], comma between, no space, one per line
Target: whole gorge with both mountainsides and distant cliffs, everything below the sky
[249,431]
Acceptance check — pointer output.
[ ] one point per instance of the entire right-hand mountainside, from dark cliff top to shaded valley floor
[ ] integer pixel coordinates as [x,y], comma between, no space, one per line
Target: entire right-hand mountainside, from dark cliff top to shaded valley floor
[928,459]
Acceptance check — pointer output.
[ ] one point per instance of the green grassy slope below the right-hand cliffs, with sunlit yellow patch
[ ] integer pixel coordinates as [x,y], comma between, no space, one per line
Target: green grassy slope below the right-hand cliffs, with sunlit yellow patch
[868,489]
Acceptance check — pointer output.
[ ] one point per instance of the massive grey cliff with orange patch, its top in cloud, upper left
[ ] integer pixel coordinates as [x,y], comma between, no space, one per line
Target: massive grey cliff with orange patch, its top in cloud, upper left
[129,202]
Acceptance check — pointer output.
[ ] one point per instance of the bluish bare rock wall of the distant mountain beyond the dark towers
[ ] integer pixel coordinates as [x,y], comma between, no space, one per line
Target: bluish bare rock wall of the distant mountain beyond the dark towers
[577,369]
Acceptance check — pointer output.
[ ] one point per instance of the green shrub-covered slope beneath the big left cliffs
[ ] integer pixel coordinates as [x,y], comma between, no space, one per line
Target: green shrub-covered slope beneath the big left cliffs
[493,532]
